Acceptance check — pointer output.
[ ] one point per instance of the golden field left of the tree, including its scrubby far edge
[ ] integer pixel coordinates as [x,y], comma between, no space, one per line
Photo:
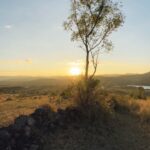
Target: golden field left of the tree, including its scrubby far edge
[24,102]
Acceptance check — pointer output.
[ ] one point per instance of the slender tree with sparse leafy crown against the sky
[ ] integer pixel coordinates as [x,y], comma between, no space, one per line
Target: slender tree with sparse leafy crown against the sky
[91,22]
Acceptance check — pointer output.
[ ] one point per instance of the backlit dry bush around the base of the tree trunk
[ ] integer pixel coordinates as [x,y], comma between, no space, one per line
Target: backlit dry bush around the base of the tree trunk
[92,100]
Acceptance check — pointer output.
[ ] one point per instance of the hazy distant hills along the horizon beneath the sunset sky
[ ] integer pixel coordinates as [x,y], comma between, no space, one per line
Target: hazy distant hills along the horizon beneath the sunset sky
[108,81]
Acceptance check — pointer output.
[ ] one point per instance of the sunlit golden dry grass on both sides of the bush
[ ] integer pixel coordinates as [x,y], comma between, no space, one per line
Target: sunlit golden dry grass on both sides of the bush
[11,105]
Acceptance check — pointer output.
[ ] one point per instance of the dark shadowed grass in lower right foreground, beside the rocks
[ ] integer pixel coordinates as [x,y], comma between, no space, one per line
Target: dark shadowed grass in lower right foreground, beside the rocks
[127,134]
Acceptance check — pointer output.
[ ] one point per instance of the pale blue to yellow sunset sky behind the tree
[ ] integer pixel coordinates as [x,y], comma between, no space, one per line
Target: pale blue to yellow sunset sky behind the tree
[34,43]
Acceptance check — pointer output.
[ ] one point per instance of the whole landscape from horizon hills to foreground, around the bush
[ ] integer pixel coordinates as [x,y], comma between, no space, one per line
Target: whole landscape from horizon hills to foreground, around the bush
[36,114]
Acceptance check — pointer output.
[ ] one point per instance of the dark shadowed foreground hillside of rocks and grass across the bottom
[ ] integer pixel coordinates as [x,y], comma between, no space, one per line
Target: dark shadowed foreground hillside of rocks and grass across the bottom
[71,129]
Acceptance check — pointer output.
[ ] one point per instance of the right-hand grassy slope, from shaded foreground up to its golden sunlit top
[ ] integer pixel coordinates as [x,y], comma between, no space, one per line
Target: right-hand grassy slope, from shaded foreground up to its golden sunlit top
[128,131]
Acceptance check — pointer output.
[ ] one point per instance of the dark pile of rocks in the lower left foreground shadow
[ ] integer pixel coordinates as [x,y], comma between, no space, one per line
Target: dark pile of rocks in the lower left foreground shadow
[28,132]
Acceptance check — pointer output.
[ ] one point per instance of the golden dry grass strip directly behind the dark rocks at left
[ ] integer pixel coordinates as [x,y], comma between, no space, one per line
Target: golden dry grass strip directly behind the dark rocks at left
[11,106]
